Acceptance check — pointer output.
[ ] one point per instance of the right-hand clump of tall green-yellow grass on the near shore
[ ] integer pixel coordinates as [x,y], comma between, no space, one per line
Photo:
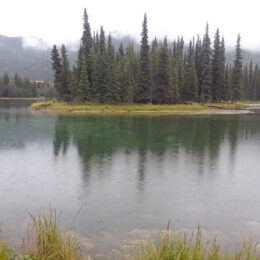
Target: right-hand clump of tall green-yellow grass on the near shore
[184,247]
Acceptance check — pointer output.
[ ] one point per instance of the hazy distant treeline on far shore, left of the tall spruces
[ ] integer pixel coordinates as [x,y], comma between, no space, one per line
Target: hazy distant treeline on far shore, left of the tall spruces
[24,87]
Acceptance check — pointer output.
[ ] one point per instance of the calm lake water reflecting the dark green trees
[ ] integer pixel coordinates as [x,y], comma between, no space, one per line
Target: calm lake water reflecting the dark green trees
[114,177]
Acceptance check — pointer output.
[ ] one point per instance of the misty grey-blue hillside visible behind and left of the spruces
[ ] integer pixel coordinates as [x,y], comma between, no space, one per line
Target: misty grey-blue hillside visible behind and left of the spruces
[35,63]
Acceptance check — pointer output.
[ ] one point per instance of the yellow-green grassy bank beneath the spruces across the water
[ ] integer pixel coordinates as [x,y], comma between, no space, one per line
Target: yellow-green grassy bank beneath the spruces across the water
[178,108]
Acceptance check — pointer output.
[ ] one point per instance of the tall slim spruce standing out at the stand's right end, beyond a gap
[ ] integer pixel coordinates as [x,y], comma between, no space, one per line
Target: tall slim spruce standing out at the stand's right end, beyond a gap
[237,72]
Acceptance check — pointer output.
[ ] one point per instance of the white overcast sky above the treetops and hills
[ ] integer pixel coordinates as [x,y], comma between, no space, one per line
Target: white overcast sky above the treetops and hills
[57,21]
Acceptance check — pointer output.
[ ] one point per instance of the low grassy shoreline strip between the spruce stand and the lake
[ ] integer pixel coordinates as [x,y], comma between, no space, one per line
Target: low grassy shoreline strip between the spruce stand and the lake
[178,109]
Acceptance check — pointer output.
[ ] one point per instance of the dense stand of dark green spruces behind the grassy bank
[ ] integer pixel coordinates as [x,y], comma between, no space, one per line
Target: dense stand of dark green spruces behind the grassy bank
[159,73]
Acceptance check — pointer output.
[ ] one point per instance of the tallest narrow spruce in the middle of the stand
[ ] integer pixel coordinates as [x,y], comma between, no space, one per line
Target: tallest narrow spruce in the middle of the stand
[144,78]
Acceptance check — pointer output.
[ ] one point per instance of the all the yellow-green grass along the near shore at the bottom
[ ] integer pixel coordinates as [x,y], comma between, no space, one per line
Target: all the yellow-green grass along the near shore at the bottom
[46,241]
